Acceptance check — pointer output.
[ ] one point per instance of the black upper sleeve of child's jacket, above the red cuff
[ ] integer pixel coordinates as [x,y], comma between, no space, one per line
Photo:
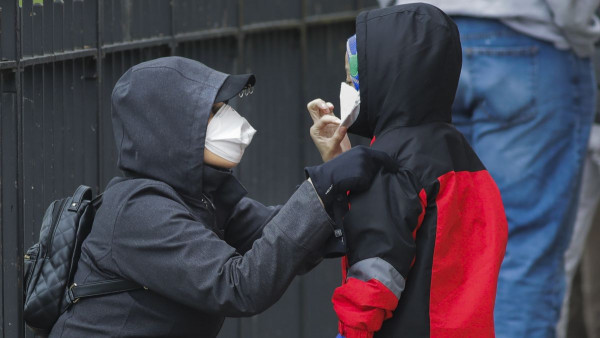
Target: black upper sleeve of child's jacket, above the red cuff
[381,222]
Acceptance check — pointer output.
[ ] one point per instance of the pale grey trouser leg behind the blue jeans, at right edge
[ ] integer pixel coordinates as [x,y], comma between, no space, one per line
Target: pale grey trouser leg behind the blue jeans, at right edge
[589,197]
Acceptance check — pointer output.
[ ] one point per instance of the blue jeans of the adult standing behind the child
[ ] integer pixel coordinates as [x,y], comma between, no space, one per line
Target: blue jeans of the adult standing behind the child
[526,108]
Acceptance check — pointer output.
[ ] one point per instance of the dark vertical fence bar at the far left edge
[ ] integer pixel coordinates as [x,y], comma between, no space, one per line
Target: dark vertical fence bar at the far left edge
[10,272]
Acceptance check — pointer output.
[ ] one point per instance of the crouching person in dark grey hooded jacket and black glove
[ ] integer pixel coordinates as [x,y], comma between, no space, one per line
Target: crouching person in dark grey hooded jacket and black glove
[184,230]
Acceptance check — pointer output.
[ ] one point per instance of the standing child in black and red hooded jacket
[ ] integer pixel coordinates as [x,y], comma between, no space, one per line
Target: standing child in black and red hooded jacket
[424,244]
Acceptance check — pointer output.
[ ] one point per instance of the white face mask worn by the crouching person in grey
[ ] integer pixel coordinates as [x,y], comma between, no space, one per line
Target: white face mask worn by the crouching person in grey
[228,134]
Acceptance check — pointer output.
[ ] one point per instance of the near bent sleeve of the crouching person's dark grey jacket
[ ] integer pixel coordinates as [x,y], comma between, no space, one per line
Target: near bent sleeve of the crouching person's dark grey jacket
[158,244]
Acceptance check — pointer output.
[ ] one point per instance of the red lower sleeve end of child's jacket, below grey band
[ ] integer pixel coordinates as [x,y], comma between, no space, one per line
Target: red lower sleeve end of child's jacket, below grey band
[362,307]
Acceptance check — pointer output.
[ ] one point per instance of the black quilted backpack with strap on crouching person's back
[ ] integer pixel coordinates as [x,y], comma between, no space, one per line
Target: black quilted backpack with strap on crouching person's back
[51,263]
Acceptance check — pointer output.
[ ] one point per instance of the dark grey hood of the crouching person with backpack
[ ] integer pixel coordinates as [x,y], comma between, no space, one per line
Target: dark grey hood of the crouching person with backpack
[160,111]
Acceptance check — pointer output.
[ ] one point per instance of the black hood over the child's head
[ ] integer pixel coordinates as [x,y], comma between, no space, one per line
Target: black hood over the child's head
[409,61]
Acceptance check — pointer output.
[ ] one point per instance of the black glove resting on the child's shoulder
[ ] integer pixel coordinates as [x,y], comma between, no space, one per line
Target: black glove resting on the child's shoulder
[353,170]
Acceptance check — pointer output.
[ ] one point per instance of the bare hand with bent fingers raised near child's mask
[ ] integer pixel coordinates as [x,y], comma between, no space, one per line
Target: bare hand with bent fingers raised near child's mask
[329,138]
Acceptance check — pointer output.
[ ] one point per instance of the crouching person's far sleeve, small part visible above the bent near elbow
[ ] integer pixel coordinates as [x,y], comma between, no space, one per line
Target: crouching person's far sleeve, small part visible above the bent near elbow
[246,223]
